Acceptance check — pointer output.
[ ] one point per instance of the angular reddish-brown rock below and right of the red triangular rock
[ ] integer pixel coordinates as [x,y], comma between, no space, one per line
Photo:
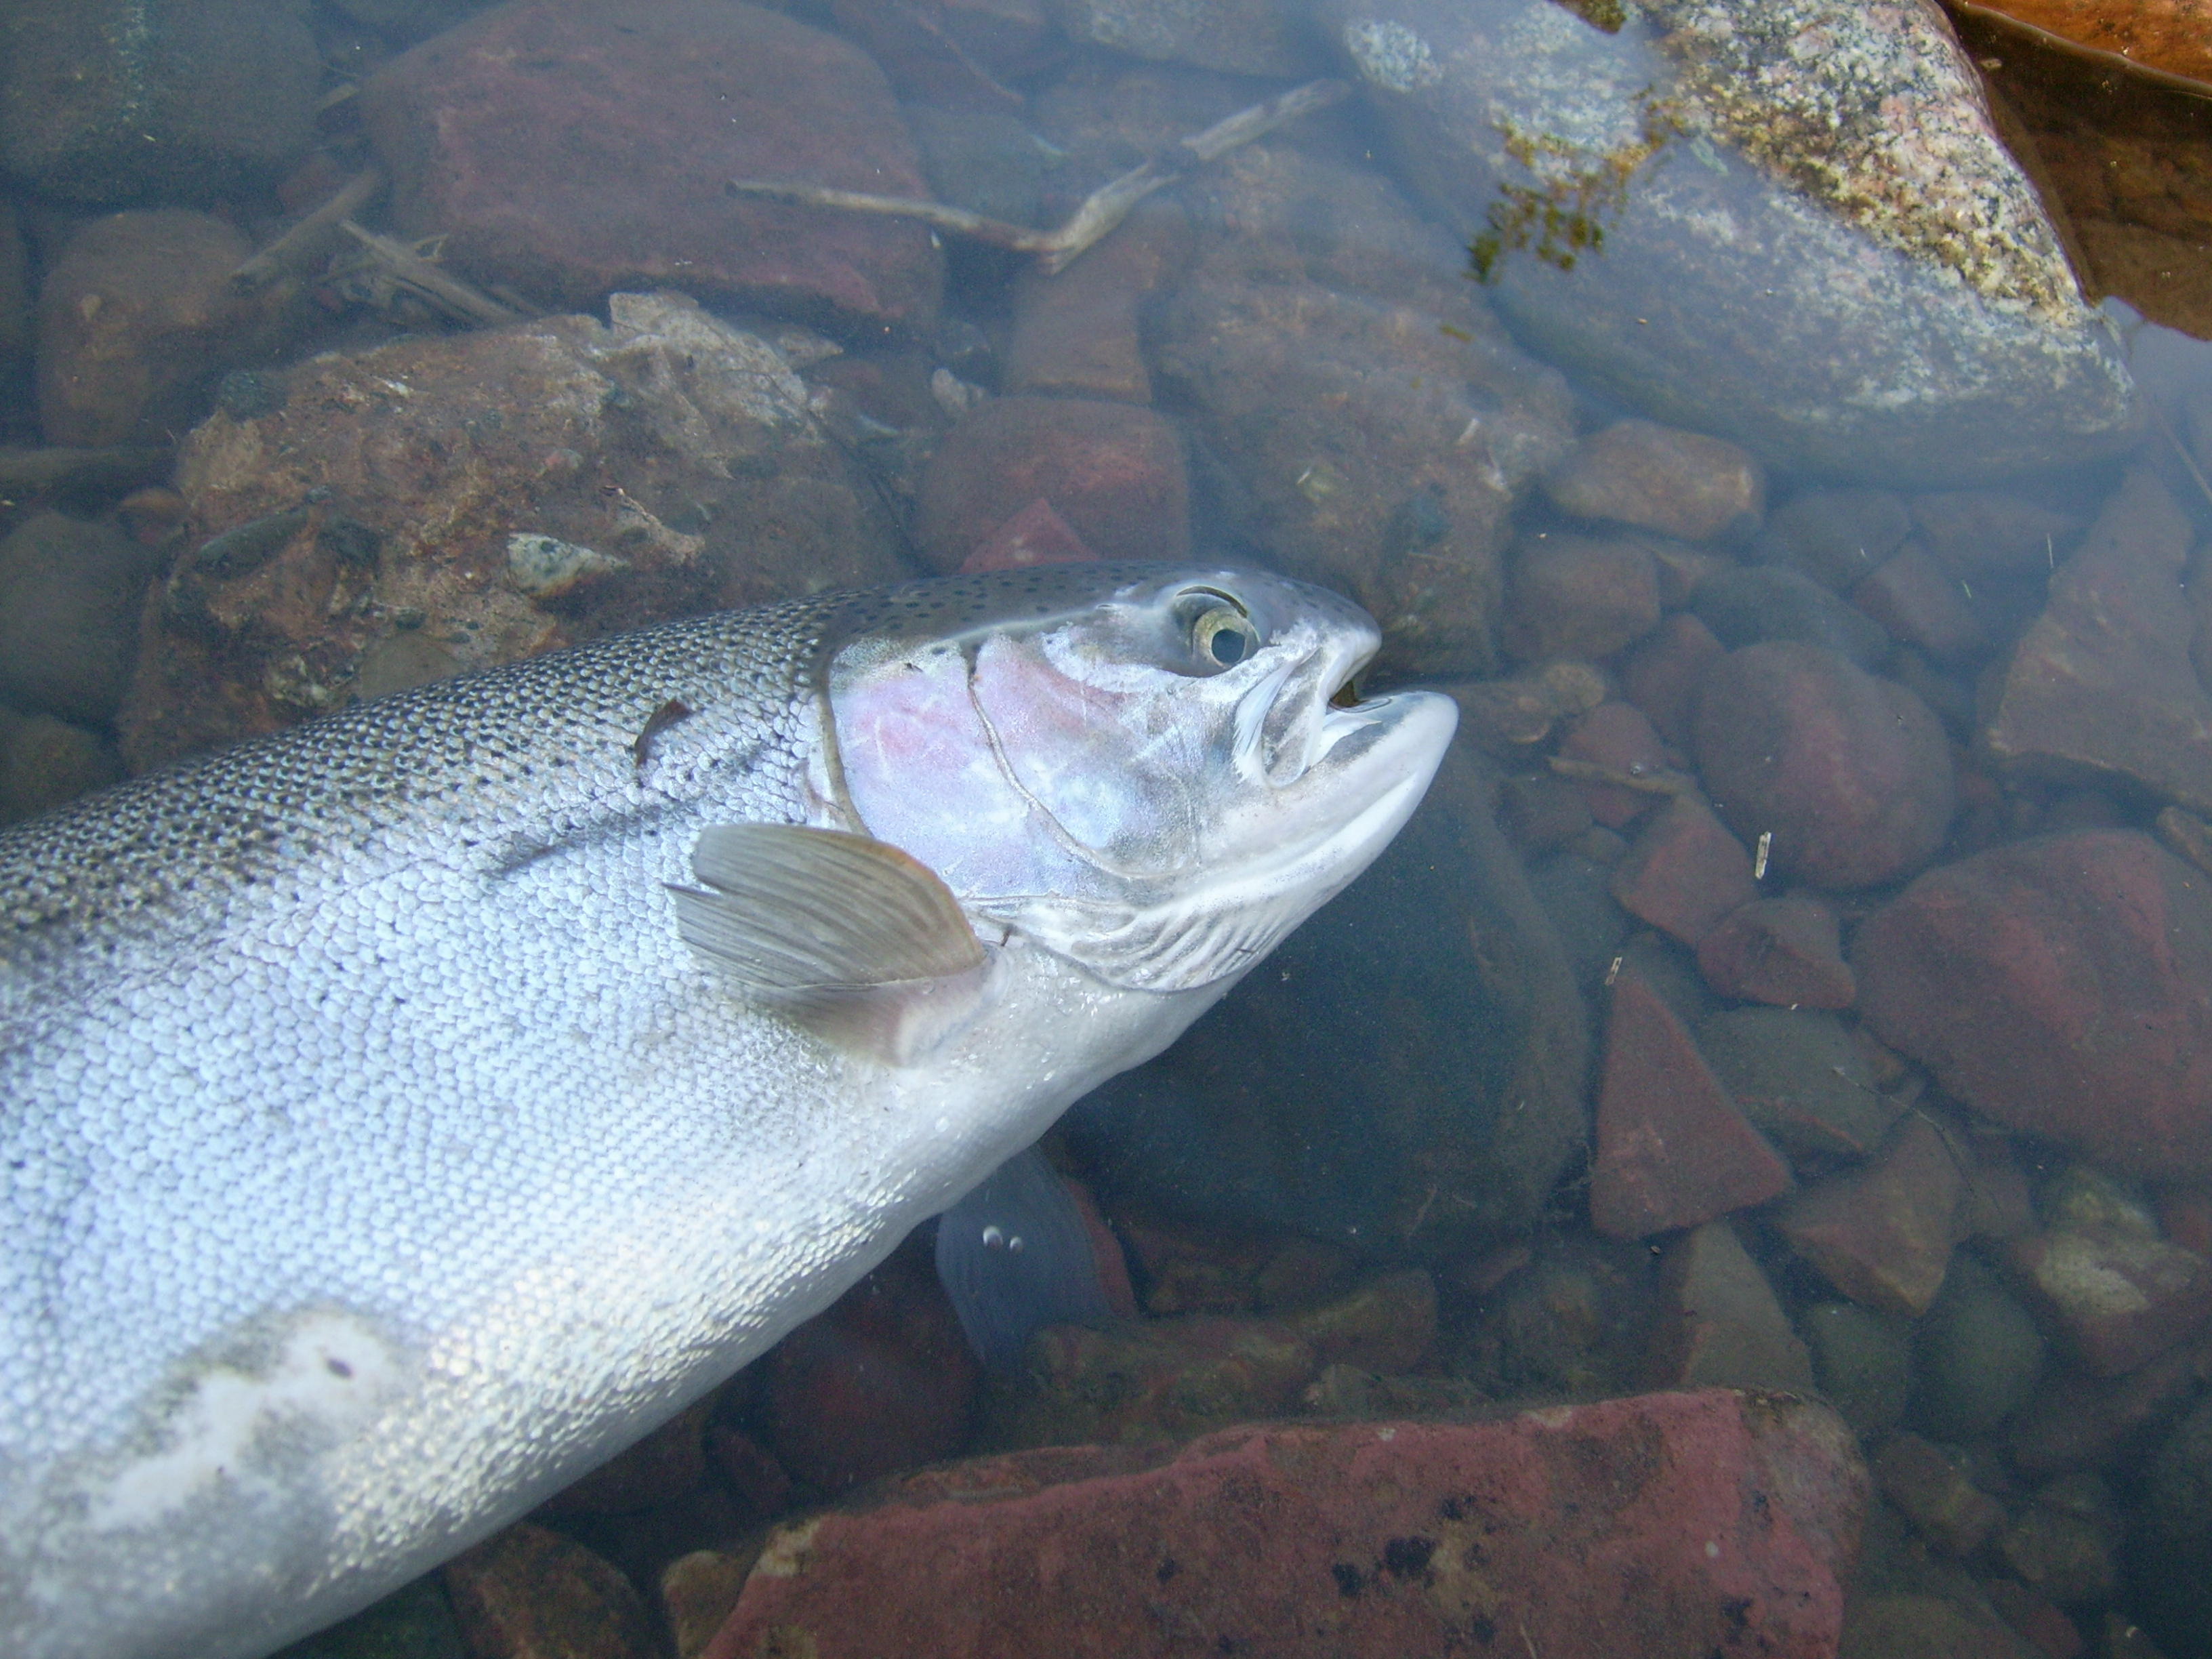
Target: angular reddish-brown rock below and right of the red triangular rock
[1884,1233]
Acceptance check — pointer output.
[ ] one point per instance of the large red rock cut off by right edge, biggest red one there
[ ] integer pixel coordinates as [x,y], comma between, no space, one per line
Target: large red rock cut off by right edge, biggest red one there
[2060,988]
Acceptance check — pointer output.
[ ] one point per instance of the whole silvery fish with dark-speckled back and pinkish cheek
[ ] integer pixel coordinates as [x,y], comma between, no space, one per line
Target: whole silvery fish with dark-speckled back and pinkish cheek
[384,1142]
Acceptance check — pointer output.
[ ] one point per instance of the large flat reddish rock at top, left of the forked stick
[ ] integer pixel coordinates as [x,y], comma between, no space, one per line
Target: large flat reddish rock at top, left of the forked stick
[570,152]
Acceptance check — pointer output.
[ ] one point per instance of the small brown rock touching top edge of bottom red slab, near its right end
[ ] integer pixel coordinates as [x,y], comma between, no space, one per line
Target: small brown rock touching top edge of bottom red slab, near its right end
[1718,1322]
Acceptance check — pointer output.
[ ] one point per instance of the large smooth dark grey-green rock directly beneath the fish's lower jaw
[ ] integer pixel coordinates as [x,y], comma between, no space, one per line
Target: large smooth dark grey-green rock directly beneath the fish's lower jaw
[1406,1074]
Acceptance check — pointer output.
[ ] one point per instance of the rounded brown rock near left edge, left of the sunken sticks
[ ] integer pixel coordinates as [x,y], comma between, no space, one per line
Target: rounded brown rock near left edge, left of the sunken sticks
[136,320]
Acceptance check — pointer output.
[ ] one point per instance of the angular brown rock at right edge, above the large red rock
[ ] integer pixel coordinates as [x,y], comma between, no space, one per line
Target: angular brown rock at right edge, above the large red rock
[2103,685]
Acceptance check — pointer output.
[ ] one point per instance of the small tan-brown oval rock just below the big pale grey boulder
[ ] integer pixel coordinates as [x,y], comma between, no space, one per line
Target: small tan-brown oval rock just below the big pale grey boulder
[1660,479]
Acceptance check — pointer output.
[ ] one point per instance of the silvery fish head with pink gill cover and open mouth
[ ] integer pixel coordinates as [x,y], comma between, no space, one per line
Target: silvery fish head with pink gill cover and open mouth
[1151,771]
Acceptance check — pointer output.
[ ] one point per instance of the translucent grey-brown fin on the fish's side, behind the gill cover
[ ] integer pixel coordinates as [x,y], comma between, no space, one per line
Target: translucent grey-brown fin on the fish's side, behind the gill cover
[842,935]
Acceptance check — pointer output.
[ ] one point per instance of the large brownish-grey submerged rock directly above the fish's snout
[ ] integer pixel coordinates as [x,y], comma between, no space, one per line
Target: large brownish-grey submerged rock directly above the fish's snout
[1379,421]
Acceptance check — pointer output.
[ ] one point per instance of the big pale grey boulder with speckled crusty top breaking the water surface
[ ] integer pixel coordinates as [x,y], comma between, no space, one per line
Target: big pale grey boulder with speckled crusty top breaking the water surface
[1720,216]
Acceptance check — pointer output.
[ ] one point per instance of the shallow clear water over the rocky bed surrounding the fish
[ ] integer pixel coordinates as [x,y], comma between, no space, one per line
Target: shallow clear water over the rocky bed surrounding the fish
[1784,428]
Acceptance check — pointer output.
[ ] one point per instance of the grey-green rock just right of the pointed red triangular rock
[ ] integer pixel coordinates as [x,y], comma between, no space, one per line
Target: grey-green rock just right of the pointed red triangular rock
[1799,1078]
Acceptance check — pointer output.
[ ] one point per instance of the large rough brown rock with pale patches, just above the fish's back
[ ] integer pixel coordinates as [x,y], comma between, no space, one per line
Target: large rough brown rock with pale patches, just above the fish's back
[362,536]
